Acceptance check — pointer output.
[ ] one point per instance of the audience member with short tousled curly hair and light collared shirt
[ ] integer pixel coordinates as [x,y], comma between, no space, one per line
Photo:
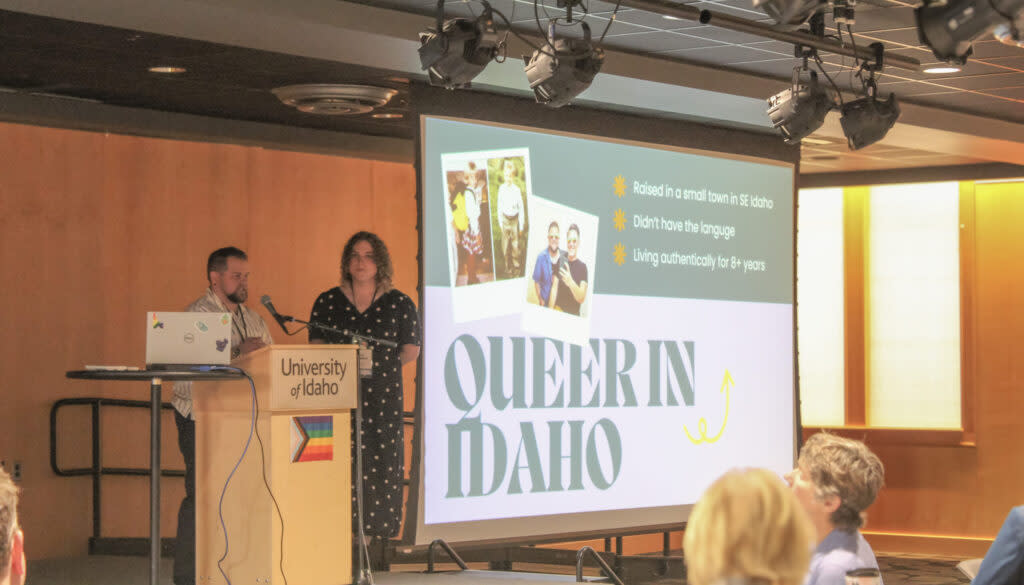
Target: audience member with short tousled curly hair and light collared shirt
[836,481]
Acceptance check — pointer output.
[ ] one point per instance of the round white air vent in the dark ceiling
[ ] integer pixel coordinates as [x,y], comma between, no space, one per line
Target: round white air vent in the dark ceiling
[332,100]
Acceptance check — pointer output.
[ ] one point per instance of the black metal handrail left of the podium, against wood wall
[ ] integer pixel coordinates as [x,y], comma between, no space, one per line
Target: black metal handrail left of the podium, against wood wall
[97,470]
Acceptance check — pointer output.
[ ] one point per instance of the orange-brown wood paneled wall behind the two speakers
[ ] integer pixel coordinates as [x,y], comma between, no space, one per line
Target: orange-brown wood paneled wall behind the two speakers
[96,230]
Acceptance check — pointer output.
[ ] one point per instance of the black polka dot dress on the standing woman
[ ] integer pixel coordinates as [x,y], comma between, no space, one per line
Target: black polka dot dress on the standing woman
[393,316]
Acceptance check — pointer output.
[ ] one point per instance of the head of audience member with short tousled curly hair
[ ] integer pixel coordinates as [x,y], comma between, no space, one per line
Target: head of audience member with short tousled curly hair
[836,481]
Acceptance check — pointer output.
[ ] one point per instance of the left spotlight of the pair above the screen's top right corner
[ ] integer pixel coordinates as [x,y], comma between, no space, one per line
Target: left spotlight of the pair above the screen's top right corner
[801,110]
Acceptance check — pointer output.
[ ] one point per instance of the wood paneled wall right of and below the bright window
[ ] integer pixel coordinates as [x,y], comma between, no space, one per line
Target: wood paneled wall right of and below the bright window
[954,499]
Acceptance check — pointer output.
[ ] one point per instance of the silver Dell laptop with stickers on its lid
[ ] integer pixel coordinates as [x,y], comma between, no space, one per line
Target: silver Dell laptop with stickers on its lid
[183,340]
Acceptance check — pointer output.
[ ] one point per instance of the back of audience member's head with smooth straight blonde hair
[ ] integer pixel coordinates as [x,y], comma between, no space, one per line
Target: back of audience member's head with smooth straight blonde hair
[748,526]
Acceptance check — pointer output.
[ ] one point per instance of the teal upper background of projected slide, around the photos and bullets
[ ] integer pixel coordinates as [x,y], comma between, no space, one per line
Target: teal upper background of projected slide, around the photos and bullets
[581,174]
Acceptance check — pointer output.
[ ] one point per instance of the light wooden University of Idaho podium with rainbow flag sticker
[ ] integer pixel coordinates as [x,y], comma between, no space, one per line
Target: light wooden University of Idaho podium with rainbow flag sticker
[305,394]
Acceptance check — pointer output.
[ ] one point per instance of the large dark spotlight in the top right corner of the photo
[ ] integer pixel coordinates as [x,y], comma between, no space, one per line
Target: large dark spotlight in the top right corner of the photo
[949,27]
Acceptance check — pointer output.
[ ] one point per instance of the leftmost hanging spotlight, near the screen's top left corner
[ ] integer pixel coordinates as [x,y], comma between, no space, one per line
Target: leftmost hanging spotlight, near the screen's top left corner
[458,50]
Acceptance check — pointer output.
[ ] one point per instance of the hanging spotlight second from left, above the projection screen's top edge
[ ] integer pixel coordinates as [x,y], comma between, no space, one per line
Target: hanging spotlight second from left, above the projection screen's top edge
[563,69]
